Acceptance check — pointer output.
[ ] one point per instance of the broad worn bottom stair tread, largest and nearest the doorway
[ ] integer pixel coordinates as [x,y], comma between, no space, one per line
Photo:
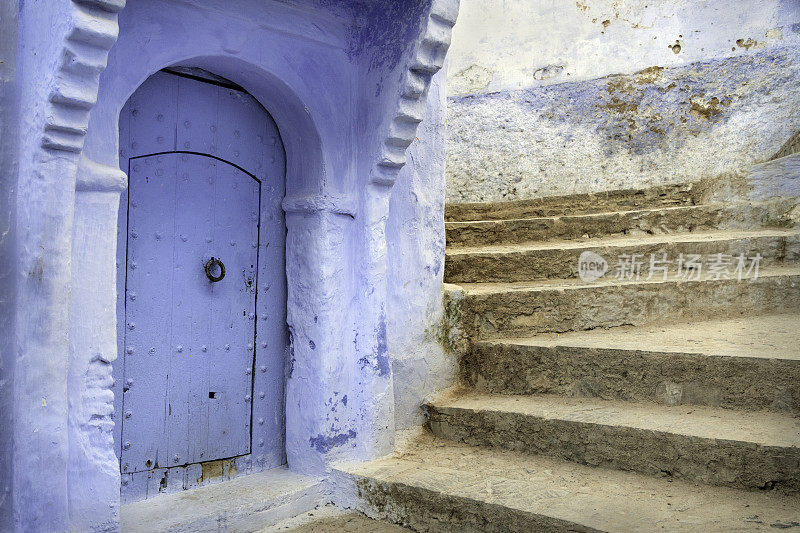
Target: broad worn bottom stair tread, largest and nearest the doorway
[600,498]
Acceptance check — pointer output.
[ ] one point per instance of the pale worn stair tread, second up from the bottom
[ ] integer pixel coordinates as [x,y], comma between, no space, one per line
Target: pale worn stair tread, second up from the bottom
[759,428]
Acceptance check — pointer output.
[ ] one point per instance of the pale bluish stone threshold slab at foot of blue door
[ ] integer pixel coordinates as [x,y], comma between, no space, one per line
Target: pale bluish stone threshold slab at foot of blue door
[246,503]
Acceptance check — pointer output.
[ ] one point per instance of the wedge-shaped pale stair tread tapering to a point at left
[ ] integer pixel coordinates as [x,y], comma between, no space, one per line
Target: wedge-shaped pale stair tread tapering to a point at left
[764,337]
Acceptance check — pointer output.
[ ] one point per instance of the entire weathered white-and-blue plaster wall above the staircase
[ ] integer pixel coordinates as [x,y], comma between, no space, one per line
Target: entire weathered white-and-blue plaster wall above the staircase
[537,107]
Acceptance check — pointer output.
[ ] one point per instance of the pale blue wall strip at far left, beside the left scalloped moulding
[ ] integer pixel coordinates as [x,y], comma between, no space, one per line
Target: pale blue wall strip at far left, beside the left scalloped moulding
[41,318]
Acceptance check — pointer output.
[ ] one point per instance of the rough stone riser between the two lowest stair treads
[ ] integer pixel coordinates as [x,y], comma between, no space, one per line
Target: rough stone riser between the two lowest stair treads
[712,461]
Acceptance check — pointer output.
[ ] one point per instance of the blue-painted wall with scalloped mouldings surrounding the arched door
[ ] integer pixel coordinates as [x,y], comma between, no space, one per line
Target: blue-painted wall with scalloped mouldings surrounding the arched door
[337,77]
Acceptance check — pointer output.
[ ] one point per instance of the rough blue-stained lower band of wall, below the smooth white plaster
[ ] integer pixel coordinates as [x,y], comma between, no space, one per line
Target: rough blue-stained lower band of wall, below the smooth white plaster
[657,126]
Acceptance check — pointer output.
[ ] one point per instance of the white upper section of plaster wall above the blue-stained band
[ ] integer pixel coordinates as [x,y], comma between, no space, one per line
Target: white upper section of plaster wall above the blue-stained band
[517,44]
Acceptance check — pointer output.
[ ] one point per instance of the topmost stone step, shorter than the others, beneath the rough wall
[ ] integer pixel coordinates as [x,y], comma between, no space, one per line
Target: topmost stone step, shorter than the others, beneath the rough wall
[666,196]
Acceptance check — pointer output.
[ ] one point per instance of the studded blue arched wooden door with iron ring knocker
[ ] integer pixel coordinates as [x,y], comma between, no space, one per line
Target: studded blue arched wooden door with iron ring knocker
[201,285]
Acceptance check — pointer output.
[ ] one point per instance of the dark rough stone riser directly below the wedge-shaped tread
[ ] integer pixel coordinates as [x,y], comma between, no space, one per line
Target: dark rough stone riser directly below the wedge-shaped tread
[667,378]
